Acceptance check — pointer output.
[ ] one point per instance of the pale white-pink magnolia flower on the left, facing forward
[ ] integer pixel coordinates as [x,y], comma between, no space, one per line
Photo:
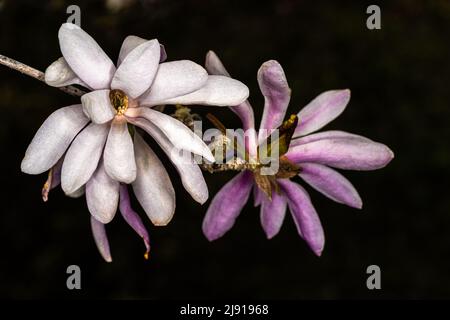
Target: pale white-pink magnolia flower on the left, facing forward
[96,142]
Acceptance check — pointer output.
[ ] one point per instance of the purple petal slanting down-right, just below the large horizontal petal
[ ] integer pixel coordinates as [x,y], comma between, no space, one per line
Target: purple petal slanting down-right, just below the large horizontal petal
[331,184]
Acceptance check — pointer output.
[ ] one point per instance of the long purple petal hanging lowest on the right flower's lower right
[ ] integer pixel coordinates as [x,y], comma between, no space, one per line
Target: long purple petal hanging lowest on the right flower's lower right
[305,216]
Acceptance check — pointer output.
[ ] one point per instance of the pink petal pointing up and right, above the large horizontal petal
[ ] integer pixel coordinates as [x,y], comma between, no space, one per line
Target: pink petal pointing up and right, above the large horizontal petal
[323,109]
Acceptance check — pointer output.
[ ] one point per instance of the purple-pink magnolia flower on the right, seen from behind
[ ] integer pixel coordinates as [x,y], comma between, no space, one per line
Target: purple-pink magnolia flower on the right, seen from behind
[310,155]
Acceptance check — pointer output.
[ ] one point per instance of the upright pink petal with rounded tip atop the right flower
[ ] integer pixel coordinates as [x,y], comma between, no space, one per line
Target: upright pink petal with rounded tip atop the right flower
[273,84]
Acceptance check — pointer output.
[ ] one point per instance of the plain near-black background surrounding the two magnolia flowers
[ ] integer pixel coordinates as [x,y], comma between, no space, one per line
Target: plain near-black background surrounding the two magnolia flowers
[399,77]
